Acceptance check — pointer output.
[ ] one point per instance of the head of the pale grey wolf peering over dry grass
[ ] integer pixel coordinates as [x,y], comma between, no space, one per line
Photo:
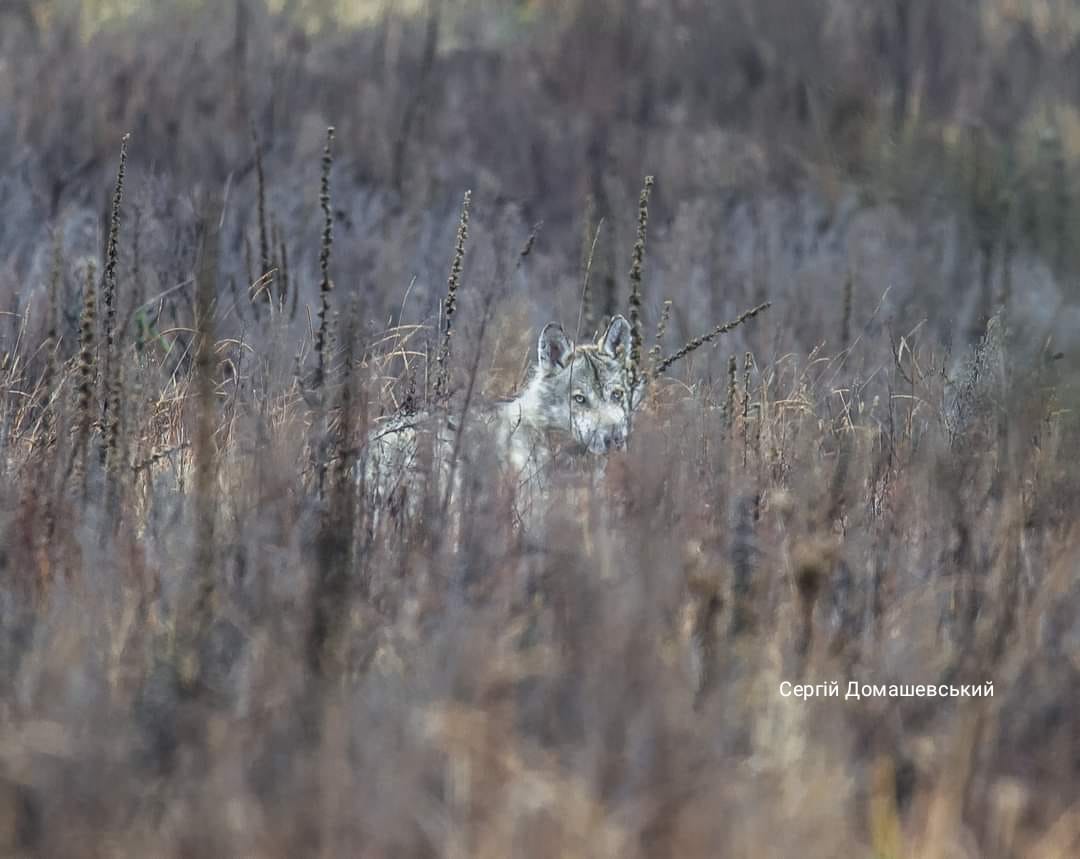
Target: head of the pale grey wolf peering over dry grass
[589,393]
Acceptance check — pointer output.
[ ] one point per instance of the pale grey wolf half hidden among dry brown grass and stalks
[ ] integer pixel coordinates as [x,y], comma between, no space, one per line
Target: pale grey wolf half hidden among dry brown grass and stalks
[579,400]
